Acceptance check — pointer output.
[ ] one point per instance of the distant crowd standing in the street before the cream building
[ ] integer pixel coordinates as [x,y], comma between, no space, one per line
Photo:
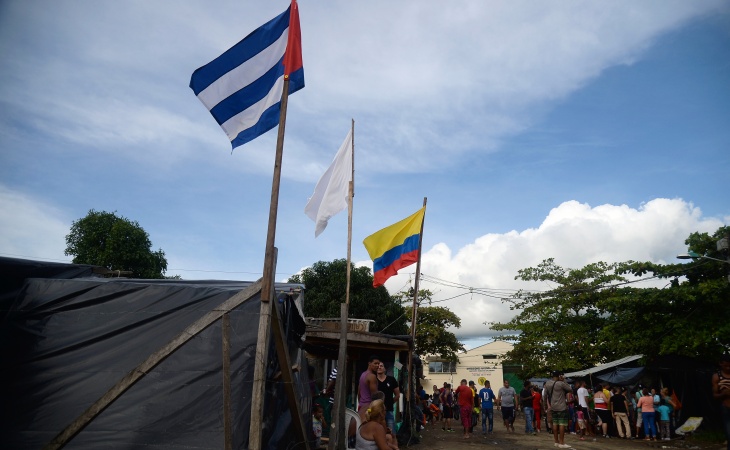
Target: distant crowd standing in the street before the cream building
[578,409]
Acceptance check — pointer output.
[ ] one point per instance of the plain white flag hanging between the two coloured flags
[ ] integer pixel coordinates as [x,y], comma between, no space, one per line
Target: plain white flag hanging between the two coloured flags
[330,194]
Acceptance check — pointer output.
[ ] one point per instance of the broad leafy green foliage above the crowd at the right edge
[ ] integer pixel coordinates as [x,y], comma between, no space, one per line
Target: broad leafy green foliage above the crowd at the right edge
[594,314]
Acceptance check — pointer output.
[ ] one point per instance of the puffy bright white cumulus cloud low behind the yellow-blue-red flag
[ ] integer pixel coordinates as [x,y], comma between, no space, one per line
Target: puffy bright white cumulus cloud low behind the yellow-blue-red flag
[573,233]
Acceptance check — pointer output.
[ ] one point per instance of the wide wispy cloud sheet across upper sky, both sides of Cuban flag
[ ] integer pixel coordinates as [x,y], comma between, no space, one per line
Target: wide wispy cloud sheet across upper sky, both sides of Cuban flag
[478,71]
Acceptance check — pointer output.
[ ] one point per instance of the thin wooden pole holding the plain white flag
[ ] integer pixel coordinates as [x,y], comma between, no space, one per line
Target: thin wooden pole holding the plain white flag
[340,437]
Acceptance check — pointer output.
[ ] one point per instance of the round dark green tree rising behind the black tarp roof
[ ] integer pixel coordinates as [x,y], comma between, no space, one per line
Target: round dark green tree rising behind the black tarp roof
[104,239]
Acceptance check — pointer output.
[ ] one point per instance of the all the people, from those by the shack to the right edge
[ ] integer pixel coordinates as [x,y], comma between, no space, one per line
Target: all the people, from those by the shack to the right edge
[598,411]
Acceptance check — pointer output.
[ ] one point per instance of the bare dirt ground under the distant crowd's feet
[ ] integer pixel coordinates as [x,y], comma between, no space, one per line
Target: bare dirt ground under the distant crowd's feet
[434,438]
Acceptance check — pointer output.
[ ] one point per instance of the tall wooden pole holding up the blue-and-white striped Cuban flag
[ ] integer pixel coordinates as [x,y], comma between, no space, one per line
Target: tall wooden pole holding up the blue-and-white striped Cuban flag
[267,289]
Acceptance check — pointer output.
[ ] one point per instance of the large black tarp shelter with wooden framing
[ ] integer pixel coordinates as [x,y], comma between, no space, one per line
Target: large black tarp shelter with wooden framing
[68,336]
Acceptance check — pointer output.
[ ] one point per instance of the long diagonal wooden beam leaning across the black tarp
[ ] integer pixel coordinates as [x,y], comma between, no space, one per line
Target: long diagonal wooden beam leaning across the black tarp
[153,360]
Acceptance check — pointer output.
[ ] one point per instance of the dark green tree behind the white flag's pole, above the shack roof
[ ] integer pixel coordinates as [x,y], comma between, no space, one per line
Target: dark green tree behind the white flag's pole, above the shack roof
[326,283]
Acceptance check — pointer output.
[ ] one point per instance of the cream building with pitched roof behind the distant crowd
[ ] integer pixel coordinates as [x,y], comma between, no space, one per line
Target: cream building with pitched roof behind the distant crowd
[478,364]
